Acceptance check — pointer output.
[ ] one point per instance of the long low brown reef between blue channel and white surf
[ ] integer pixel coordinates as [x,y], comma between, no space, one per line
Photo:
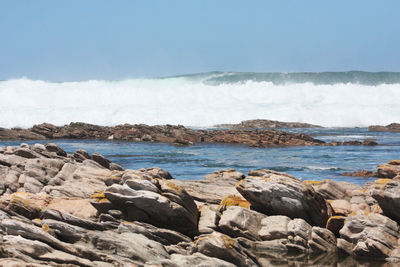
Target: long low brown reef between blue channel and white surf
[177,135]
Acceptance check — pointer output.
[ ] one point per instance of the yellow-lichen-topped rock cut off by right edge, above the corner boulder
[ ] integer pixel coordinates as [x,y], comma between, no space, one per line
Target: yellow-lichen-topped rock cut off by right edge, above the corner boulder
[387,194]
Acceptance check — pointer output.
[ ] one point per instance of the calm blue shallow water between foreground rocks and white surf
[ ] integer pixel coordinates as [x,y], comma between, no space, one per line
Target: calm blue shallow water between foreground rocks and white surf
[194,162]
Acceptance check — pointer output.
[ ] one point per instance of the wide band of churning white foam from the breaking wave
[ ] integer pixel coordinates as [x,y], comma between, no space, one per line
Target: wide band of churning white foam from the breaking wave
[191,102]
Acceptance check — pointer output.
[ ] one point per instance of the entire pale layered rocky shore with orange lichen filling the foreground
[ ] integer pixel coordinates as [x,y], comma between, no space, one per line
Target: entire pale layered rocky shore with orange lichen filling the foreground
[78,209]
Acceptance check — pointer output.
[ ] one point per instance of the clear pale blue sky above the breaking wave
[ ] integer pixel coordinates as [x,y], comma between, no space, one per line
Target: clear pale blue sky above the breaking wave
[97,39]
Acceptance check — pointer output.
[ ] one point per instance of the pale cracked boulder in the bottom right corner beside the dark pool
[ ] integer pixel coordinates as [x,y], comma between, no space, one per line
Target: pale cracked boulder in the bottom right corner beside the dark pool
[369,235]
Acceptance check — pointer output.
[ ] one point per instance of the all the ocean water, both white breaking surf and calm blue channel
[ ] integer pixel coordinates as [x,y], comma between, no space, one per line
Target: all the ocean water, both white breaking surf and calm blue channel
[344,102]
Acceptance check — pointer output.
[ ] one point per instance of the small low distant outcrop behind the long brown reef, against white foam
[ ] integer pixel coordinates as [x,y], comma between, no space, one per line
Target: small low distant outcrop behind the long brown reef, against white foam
[266,124]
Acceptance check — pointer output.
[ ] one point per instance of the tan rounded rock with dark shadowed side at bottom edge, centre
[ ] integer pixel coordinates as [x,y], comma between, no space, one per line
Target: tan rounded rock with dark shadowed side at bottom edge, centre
[223,247]
